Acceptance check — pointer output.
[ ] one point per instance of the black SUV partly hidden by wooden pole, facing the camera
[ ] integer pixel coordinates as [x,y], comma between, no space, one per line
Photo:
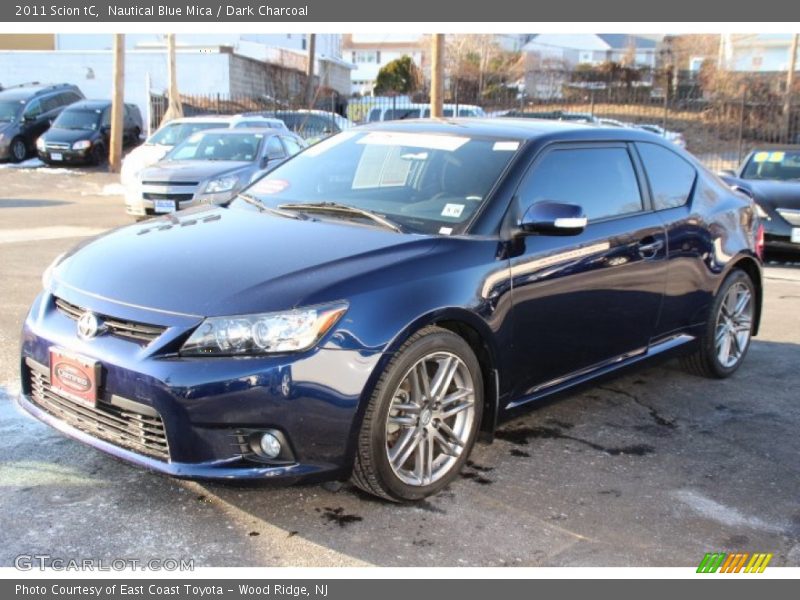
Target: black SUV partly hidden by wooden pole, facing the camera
[81,133]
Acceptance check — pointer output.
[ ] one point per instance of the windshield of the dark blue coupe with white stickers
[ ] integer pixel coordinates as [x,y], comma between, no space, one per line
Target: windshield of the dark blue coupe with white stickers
[423,182]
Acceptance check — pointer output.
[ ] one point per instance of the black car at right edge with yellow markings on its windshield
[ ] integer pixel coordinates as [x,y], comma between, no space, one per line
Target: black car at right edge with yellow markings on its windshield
[772,178]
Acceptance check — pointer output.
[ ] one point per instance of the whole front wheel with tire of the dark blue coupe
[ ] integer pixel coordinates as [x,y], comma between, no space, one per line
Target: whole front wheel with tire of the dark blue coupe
[417,433]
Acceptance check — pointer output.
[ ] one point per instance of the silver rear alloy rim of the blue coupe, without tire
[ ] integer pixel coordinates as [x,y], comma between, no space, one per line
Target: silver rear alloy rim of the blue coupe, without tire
[734,325]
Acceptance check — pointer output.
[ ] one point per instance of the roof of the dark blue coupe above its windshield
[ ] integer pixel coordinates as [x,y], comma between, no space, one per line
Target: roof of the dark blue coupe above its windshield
[520,128]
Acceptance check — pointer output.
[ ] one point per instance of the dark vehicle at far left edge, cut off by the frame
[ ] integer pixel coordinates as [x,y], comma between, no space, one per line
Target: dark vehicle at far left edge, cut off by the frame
[26,112]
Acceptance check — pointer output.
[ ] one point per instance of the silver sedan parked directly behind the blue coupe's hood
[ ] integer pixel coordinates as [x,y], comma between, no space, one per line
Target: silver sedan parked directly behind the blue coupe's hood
[212,166]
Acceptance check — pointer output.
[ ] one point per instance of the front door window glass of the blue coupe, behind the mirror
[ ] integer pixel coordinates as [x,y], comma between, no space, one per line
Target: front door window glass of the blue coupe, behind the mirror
[601,180]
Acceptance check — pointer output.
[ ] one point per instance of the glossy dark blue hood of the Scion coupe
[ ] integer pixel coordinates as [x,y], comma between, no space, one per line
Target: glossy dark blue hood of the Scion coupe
[212,261]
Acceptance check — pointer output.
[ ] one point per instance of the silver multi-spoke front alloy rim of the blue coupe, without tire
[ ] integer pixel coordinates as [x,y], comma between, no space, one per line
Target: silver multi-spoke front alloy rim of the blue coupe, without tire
[430,419]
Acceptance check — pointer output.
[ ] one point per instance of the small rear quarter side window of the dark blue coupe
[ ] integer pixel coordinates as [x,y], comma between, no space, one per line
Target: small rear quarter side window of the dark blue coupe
[671,177]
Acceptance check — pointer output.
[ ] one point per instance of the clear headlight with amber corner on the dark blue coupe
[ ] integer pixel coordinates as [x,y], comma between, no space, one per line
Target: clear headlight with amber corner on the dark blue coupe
[267,333]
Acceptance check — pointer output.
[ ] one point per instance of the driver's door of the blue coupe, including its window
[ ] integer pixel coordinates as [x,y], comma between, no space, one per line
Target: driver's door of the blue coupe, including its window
[586,301]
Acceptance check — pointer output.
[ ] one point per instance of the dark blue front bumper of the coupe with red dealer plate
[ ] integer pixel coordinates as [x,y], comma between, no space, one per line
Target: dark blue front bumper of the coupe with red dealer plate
[208,406]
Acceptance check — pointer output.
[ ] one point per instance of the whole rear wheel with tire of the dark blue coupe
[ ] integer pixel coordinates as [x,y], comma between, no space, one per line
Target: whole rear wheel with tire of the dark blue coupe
[729,329]
